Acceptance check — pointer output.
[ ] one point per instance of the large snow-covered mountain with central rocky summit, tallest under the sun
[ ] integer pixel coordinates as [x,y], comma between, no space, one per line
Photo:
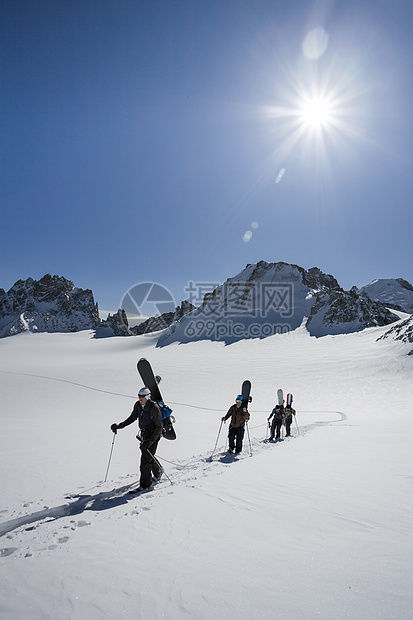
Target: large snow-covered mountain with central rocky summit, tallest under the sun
[273,298]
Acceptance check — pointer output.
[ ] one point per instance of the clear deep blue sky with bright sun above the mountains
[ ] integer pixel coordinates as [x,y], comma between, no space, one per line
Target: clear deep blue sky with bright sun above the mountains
[141,139]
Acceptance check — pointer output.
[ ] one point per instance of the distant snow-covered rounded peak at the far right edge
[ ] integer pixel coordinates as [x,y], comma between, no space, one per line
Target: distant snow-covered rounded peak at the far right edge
[393,292]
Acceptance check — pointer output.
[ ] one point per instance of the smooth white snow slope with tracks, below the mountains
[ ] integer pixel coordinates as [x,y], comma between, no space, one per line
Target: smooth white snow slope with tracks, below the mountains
[317,526]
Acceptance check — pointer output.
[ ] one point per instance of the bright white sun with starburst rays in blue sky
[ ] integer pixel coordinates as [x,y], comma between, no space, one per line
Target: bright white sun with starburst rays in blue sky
[318,110]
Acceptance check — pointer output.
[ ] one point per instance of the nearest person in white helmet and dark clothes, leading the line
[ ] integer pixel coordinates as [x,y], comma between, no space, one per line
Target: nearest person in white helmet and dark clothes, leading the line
[149,417]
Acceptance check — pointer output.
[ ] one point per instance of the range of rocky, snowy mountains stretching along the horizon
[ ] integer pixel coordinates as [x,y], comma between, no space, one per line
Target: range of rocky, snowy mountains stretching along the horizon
[262,300]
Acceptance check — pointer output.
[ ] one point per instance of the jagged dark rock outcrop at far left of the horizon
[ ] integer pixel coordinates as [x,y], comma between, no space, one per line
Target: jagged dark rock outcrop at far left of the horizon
[51,304]
